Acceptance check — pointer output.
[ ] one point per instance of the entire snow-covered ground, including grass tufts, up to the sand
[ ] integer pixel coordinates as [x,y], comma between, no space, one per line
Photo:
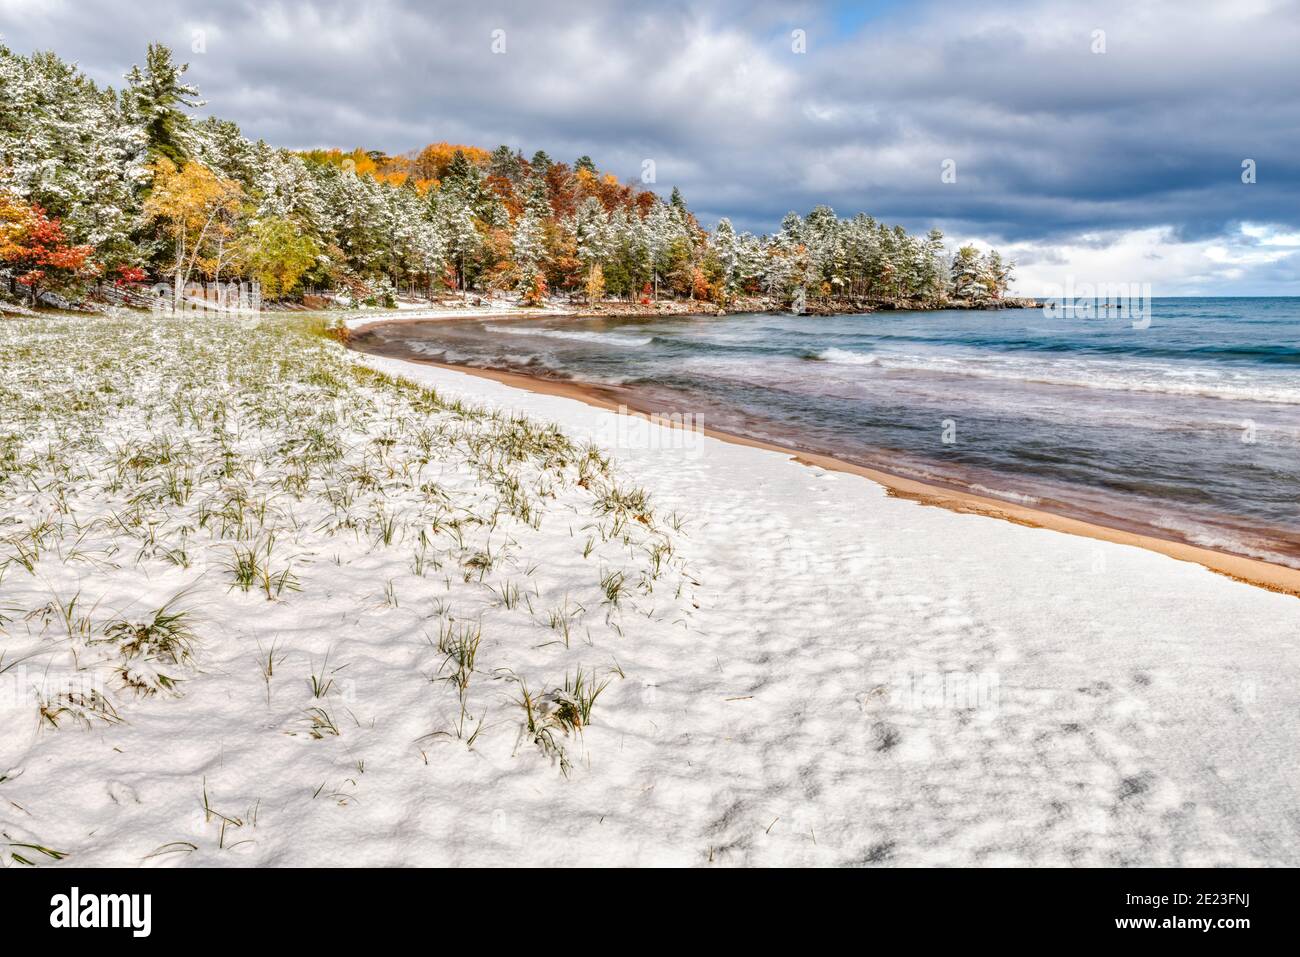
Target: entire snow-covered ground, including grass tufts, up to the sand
[796,669]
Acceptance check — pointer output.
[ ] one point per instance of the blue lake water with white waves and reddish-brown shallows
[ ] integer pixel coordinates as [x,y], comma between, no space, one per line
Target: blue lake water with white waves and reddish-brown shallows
[1188,430]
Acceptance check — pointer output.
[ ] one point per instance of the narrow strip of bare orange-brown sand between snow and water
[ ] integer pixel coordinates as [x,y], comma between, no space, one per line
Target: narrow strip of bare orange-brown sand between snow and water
[1273,578]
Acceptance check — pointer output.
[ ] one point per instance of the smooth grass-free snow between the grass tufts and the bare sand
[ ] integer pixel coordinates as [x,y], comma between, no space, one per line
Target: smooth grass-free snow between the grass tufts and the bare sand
[870,681]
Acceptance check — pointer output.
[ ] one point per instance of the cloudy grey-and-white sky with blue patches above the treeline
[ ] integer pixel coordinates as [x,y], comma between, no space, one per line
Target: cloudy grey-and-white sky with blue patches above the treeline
[1093,142]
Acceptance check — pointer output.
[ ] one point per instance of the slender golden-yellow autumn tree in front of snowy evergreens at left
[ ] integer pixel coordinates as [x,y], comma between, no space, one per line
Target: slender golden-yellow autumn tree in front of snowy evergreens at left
[200,211]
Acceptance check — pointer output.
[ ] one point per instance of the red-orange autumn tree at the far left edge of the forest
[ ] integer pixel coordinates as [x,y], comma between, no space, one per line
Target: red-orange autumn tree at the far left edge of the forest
[36,250]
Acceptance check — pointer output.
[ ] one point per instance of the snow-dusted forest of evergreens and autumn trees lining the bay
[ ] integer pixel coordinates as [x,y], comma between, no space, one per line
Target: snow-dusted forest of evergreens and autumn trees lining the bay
[106,189]
